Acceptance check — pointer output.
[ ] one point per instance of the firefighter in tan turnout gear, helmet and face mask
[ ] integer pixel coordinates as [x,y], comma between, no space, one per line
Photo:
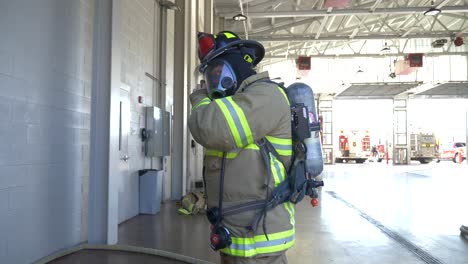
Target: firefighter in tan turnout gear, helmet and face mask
[238,108]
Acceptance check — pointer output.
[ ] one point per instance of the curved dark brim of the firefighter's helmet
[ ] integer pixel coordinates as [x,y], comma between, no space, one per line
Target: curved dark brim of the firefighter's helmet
[258,48]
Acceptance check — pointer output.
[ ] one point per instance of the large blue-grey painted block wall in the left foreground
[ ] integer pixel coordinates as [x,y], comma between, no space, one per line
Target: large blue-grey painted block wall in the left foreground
[45,101]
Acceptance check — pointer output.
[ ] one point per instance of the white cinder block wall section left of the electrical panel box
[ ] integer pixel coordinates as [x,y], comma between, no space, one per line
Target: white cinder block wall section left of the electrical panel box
[136,59]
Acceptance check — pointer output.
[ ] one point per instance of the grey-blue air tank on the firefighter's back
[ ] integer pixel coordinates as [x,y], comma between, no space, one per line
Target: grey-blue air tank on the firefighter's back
[301,94]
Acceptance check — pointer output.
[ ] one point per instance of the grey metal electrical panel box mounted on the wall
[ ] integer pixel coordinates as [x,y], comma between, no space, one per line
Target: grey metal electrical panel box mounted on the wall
[158,127]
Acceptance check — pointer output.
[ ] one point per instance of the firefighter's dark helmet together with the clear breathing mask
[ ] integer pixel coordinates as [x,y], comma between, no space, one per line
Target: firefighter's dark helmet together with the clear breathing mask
[219,74]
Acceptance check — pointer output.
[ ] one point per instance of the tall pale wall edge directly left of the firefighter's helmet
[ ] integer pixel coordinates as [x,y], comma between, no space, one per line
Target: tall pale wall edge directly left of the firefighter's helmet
[187,160]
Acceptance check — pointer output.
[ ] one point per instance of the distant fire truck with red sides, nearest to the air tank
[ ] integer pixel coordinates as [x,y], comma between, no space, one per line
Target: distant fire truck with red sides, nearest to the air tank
[353,147]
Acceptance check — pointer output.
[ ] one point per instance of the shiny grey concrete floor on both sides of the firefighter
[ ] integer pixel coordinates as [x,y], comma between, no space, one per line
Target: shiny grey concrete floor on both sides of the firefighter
[368,213]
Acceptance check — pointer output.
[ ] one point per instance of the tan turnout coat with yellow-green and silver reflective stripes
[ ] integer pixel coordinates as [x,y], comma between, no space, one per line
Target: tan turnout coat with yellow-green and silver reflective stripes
[233,124]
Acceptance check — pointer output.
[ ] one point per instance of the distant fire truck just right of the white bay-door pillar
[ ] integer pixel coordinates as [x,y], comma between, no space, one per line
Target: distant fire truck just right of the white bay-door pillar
[423,147]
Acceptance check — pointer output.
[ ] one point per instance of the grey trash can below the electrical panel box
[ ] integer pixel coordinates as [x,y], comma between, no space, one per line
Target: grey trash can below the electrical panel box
[150,182]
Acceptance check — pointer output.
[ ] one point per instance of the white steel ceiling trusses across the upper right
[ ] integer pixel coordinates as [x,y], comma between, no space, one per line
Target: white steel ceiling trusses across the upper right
[289,28]
